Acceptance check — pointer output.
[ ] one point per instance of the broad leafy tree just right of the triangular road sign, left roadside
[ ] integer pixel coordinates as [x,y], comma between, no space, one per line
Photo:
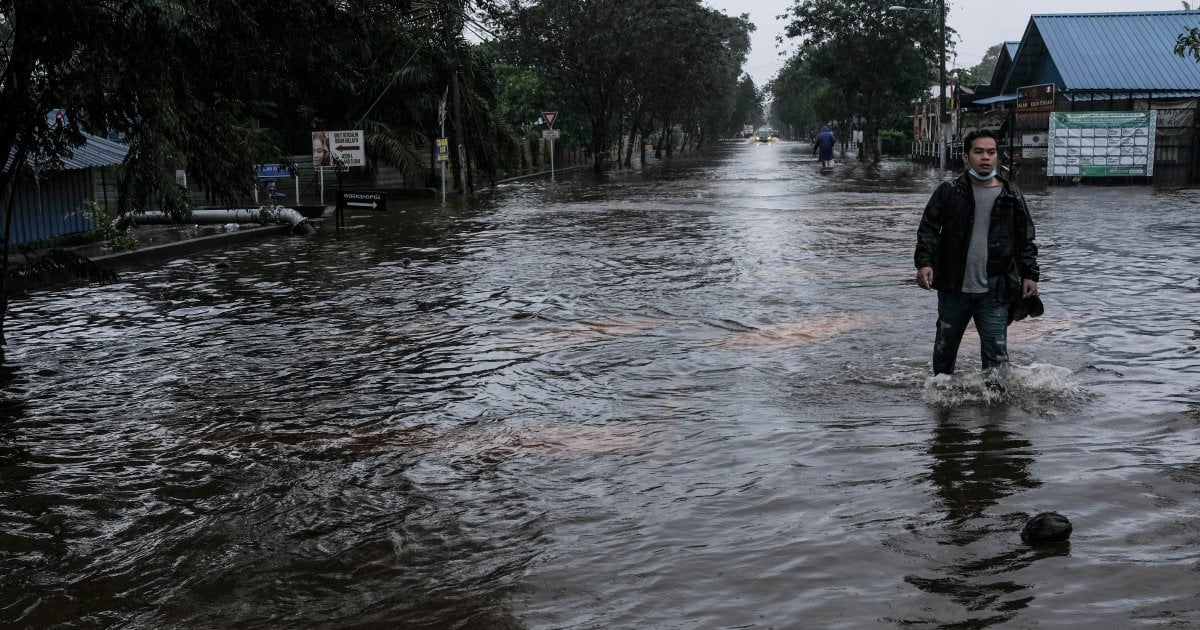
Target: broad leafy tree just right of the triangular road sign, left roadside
[622,63]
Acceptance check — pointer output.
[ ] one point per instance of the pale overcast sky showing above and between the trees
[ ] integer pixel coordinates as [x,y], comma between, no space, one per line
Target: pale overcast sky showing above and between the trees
[981,25]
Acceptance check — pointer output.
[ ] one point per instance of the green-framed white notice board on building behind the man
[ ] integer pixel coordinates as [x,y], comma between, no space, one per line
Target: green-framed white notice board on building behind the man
[1101,145]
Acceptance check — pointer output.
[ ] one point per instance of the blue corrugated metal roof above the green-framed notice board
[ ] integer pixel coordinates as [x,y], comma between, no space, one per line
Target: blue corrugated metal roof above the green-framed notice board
[1108,52]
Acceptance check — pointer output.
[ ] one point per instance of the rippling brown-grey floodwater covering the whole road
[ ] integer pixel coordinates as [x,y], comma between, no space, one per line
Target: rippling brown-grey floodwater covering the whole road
[691,398]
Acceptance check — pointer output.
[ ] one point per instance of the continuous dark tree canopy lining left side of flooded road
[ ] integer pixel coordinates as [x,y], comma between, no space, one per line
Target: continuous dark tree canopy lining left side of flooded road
[219,86]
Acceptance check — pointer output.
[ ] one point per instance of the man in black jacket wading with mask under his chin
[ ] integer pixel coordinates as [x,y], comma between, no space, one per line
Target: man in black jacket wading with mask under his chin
[976,248]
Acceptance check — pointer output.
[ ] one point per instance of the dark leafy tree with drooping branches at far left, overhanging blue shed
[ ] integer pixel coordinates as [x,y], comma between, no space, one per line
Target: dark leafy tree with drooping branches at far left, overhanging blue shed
[135,69]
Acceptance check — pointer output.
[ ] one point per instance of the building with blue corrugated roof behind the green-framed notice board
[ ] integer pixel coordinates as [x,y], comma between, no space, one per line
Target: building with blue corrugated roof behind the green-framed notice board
[1102,63]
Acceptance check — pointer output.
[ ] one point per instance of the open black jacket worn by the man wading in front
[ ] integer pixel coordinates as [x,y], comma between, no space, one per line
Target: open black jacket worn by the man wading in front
[945,237]
